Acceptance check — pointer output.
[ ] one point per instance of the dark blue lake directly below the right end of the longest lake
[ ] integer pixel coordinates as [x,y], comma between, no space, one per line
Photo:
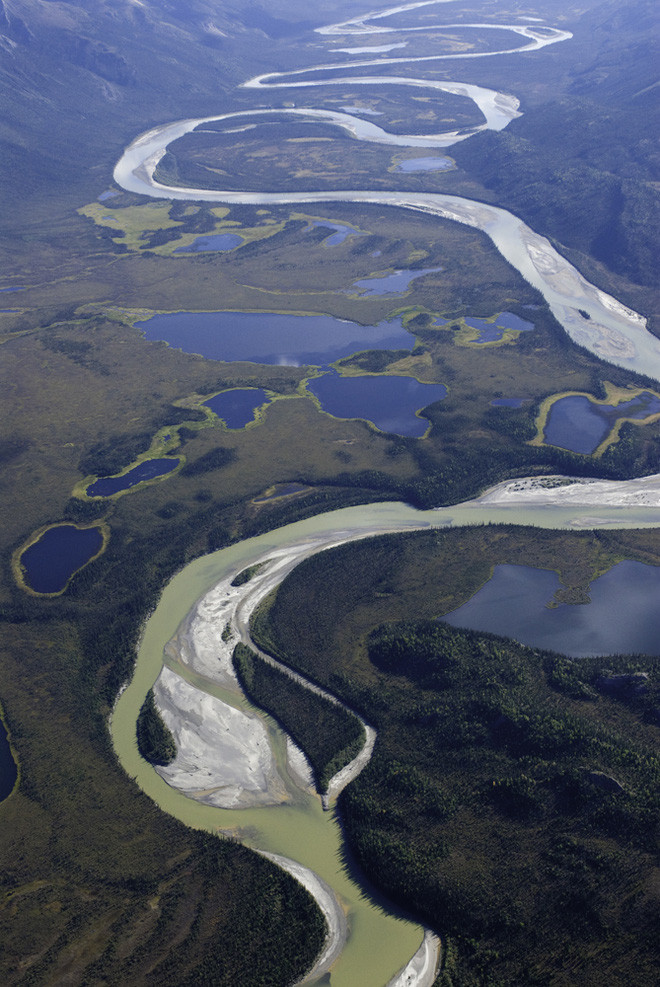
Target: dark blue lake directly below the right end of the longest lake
[388,402]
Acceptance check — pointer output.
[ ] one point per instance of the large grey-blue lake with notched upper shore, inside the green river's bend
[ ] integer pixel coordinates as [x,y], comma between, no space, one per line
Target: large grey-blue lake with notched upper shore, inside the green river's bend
[623,616]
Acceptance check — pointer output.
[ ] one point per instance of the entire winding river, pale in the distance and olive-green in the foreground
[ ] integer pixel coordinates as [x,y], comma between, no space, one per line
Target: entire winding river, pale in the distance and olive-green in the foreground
[378,944]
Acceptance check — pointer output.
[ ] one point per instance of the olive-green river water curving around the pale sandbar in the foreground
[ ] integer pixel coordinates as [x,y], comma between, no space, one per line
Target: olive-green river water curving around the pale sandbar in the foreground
[379,943]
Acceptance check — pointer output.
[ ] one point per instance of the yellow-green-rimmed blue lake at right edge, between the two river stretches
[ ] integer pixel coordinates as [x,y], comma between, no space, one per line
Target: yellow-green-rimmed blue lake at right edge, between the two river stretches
[580,425]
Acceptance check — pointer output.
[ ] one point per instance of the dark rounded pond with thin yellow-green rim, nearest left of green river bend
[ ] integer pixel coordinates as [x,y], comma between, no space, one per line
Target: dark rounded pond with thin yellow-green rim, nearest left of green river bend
[61,551]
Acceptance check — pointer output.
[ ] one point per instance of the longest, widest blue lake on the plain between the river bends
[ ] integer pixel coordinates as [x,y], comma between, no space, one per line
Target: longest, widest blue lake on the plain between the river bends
[268,337]
